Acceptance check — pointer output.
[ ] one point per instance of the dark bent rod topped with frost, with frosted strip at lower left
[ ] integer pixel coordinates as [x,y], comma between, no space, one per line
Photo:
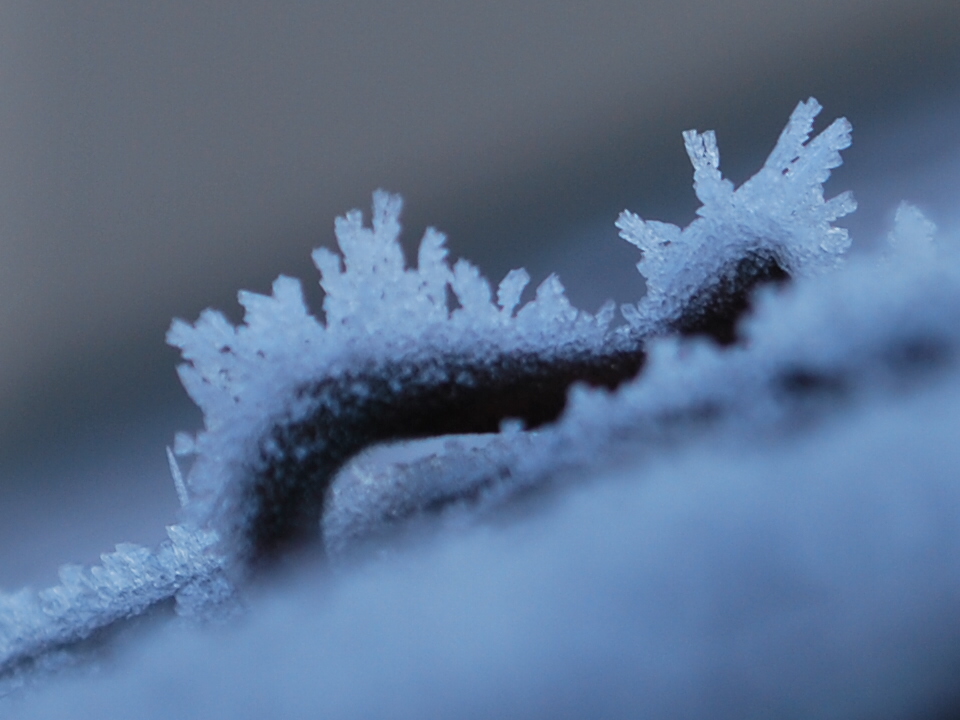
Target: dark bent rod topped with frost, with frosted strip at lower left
[288,397]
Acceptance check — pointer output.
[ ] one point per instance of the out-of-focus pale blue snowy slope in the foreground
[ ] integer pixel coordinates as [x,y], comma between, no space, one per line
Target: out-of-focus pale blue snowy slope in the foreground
[817,576]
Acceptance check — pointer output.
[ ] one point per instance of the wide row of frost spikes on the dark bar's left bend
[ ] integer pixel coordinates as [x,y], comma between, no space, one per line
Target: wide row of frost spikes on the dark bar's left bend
[388,337]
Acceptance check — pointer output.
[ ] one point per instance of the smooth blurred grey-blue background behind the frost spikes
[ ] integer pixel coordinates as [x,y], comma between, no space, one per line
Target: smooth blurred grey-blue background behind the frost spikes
[157,157]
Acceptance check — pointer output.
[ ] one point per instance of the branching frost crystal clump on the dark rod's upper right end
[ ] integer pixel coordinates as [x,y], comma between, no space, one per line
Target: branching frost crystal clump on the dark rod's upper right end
[777,219]
